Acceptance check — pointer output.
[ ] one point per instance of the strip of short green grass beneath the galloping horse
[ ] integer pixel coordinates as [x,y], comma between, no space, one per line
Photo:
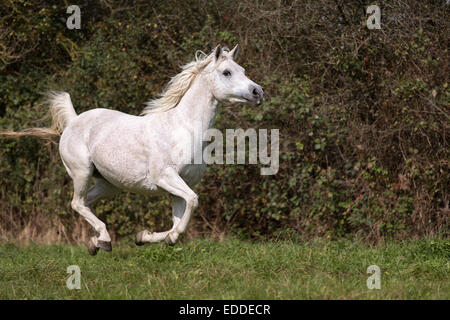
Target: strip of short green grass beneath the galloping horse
[232,269]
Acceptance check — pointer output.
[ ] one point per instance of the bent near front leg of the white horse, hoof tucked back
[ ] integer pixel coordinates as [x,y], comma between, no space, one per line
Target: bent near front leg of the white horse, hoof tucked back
[183,204]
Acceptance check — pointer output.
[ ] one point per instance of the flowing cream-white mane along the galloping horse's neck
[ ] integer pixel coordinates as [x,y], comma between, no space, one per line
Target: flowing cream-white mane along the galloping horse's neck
[178,85]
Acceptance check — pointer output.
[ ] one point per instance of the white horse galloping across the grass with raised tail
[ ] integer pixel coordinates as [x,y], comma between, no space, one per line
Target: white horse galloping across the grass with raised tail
[142,154]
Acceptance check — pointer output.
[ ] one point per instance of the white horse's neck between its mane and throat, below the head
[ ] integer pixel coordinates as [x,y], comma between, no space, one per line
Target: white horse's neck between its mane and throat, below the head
[197,109]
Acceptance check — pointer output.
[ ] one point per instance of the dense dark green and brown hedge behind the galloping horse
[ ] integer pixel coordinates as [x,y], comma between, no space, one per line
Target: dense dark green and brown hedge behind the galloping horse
[363,114]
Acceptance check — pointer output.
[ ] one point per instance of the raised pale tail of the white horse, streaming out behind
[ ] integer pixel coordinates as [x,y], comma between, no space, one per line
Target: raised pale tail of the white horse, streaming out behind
[61,111]
